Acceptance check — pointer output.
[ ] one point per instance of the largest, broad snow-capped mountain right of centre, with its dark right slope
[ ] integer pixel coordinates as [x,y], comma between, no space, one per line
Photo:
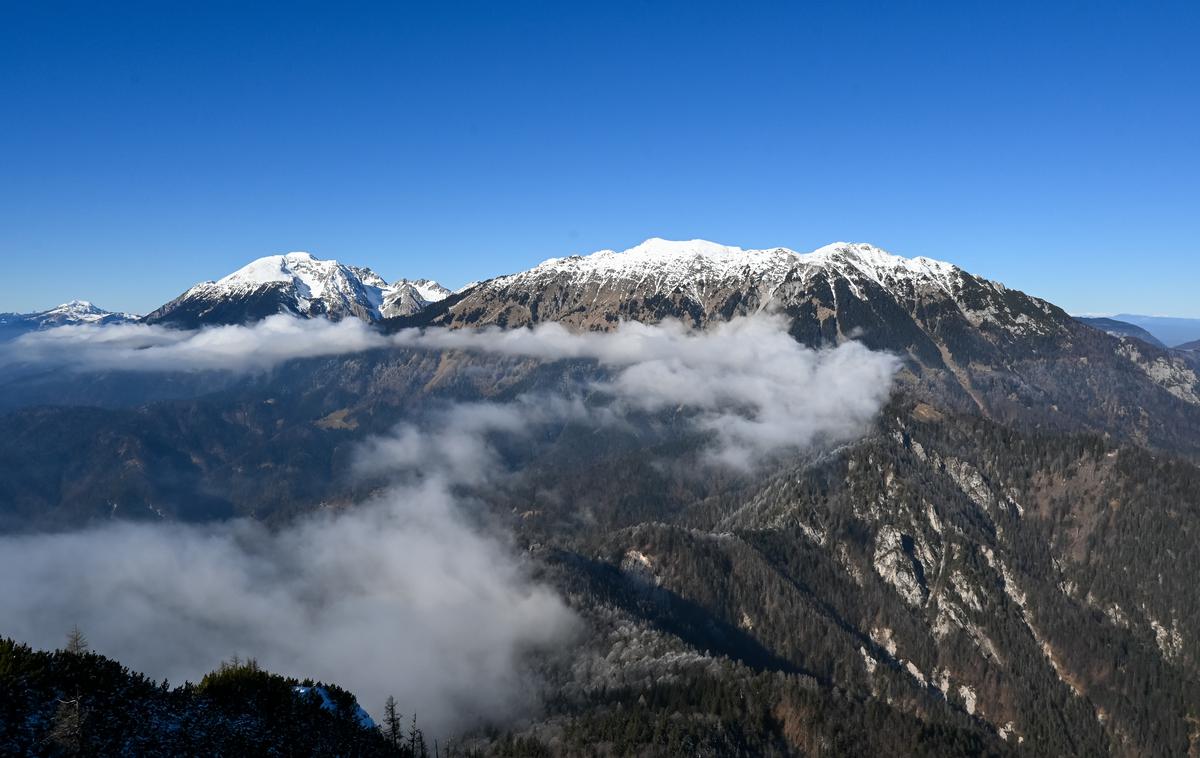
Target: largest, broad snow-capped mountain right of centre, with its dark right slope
[963,338]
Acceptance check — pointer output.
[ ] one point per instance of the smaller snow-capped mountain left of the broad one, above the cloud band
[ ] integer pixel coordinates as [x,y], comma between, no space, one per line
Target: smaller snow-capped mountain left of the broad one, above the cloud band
[302,285]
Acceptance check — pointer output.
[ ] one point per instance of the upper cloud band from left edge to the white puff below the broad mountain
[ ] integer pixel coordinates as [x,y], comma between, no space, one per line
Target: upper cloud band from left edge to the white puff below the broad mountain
[754,388]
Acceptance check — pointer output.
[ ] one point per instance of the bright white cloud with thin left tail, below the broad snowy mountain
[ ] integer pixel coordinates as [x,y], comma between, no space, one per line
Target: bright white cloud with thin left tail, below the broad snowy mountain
[749,384]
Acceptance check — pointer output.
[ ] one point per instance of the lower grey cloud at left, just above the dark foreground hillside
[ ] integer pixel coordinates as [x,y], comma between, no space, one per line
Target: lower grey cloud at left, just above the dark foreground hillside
[401,595]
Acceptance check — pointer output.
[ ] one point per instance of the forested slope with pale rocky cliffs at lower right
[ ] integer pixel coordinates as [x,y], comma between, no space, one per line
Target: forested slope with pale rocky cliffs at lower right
[1029,583]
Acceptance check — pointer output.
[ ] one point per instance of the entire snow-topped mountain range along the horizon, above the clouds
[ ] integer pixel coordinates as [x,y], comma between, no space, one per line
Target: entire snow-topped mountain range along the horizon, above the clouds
[967,341]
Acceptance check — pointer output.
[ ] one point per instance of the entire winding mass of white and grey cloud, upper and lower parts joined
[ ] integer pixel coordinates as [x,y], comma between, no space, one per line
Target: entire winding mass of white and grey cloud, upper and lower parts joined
[412,594]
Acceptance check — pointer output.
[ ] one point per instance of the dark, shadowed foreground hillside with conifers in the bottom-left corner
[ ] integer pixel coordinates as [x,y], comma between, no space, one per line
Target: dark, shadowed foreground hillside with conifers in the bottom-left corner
[85,705]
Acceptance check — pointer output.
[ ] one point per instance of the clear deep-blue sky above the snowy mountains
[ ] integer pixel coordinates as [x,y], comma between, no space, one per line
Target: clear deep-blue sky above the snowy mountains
[1052,146]
